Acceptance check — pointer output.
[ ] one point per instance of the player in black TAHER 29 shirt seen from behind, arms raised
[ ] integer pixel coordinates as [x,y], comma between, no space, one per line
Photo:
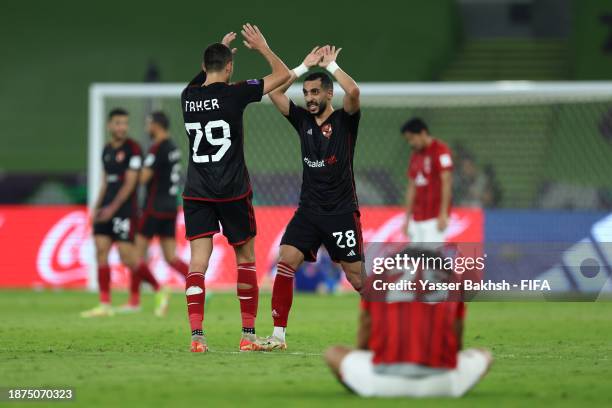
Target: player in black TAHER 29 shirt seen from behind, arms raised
[217,190]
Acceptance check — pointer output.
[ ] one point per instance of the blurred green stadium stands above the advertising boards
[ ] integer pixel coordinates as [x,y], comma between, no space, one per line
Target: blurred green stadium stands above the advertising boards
[520,156]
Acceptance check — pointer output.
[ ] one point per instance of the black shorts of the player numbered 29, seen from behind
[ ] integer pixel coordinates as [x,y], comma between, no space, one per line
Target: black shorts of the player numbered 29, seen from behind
[237,218]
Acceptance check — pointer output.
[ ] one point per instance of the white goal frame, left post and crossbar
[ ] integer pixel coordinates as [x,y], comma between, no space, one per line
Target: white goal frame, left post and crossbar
[373,94]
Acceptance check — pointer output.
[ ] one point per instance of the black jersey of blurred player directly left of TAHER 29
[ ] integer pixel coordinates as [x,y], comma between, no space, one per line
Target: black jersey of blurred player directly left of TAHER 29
[164,159]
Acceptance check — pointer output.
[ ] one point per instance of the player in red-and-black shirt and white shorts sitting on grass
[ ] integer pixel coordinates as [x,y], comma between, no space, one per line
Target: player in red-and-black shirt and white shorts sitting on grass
[408,348]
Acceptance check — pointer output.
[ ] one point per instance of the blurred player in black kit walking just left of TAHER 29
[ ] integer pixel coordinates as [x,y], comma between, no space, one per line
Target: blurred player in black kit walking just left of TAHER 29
[160,177]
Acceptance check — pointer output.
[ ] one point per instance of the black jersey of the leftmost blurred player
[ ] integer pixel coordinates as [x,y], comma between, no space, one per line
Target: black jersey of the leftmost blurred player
[116,162]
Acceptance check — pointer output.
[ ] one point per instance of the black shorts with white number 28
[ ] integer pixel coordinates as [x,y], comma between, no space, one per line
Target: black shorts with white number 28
[341,235]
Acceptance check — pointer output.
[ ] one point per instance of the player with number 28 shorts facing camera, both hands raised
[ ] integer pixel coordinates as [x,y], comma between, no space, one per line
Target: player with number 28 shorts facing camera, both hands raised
[328,212]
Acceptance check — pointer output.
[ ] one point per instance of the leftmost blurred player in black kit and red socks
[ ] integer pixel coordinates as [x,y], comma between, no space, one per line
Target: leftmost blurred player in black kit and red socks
[115,211]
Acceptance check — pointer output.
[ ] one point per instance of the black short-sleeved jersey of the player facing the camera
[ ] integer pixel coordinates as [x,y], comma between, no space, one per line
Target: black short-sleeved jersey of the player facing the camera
[328,185]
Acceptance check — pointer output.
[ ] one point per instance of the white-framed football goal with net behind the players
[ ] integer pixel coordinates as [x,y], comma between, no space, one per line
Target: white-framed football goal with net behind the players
[519,144]
